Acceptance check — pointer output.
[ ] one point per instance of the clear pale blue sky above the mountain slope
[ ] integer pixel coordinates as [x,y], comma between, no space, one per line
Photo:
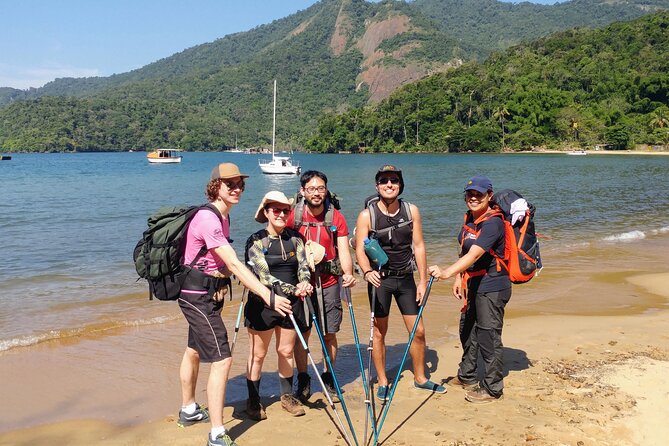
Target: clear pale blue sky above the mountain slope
[41,40]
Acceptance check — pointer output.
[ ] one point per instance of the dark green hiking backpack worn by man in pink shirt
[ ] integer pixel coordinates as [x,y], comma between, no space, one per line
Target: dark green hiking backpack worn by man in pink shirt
[159,254]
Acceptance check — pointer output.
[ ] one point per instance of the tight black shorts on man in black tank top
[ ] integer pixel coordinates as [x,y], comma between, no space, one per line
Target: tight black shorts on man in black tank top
[403,288]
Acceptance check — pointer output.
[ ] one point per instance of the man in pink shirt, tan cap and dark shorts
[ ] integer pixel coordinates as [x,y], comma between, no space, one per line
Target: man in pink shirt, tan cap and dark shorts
[207,336]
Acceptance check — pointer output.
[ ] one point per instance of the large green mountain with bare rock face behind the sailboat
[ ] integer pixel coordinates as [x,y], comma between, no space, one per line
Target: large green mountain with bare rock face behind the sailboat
[329,58]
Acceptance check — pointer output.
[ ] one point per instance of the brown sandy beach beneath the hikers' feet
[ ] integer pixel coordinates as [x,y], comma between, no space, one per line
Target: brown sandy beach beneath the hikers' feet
[586,352]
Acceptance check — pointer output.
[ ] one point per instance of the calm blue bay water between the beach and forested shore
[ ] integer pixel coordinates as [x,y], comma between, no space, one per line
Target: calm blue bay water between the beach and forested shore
[69,222]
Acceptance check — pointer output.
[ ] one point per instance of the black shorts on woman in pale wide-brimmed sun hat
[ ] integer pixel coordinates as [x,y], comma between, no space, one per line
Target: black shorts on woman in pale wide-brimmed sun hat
[260,318]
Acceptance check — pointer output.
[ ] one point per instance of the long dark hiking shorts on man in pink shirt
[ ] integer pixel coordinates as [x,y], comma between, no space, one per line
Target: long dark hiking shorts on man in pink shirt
[206,332]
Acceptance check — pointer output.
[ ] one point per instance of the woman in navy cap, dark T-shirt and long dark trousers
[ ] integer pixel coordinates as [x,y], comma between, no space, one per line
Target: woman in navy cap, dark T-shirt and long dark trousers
[485,287]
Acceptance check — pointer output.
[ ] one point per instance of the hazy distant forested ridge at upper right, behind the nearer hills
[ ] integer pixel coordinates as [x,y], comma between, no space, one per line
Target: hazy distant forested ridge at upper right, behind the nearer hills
[490,25]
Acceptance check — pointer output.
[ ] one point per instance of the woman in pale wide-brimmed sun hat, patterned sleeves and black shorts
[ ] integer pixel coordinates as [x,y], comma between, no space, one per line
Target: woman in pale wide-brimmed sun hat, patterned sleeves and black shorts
[277,255]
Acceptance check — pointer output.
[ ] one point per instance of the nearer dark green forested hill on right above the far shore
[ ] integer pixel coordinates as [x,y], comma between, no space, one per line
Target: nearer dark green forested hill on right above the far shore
[576,88]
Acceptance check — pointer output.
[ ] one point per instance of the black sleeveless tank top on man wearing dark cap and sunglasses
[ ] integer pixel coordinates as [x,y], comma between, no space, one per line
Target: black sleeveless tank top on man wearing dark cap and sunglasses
[395,243]
